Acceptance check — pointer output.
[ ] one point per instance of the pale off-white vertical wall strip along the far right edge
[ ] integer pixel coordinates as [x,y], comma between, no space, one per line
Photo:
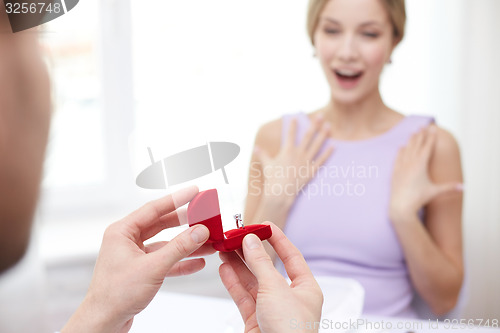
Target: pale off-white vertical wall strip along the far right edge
[479,100]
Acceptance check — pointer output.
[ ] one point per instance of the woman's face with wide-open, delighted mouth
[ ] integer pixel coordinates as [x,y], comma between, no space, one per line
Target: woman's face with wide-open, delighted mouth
[354,40]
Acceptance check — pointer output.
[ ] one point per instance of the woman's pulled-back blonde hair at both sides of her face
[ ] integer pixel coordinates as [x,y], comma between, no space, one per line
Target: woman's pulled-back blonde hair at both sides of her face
[395,9]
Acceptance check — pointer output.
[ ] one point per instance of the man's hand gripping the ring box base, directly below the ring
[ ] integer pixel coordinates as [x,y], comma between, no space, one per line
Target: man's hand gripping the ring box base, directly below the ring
[265,300]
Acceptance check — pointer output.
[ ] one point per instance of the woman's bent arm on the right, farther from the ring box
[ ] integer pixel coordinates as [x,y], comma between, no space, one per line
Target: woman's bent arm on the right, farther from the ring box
[430,168]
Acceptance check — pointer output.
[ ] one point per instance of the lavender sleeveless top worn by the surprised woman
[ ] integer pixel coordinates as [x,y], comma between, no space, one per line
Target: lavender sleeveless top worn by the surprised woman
[340,223]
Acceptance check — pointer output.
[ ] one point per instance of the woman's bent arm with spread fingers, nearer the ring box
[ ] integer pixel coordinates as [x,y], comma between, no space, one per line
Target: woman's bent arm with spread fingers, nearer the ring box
[272,182]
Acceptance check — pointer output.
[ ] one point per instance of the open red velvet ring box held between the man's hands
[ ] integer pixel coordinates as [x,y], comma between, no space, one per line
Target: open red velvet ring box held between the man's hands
[204,209]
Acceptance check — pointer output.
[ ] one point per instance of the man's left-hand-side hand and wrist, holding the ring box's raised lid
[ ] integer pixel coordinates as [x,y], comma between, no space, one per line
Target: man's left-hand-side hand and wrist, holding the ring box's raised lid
[128,273]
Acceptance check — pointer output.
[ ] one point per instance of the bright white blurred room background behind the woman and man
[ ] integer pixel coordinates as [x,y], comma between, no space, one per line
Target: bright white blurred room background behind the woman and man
[173,75]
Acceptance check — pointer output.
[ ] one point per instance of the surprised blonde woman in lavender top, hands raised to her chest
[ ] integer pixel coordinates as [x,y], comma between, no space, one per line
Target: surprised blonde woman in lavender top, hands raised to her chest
[339,183]
